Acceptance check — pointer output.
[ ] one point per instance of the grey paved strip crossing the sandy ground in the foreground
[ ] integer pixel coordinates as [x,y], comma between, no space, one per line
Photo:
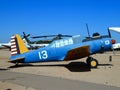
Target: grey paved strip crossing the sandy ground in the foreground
[40,82]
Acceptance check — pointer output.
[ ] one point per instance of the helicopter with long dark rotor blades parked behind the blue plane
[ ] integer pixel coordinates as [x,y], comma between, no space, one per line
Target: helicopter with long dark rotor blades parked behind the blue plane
[41,43]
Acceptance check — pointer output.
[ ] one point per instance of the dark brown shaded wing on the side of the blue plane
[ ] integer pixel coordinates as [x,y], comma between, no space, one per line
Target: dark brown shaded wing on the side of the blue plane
[77,53]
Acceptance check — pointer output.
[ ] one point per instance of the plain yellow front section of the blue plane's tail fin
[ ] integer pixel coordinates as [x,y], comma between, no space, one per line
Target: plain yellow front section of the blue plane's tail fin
[21,45]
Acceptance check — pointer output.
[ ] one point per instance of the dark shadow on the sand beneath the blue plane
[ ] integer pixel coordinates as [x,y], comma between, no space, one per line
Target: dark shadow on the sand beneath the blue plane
[72,66]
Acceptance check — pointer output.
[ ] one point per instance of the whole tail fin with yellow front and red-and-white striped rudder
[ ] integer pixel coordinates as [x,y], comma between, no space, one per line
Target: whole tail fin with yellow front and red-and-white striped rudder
[17,45]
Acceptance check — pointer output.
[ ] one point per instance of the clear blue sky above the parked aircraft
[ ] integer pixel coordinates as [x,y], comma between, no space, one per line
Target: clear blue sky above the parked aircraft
[44,17]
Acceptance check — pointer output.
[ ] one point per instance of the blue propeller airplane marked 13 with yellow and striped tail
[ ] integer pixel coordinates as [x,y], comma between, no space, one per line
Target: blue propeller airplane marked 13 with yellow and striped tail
[60,50]
